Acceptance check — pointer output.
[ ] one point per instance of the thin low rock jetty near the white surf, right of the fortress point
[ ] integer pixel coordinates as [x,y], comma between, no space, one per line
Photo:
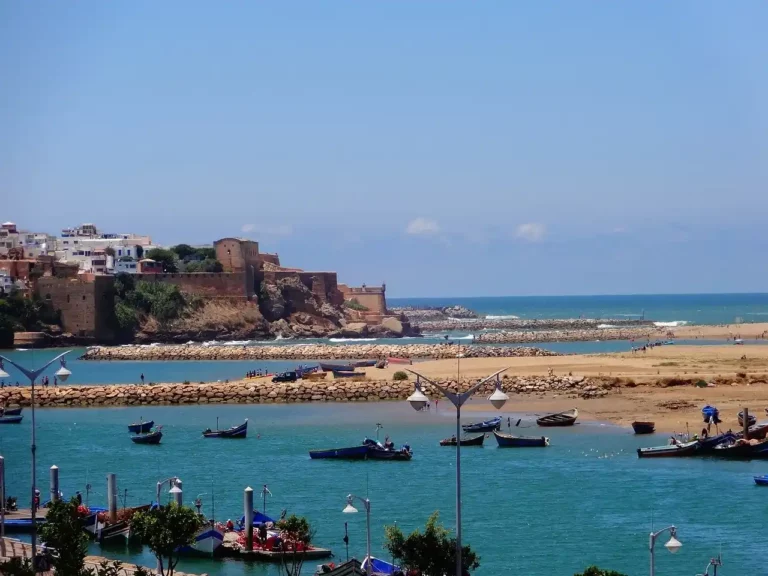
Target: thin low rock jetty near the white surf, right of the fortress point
[530,324]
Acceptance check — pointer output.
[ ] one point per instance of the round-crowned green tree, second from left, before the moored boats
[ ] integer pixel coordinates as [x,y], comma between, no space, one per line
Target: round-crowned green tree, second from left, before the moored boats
[165,530]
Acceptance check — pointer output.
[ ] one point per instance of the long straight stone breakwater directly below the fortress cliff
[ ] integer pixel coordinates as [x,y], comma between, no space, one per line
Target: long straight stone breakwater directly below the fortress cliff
[306,352]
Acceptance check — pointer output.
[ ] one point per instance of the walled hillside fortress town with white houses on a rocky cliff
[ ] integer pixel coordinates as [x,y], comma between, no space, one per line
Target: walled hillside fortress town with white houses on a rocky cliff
[77,272]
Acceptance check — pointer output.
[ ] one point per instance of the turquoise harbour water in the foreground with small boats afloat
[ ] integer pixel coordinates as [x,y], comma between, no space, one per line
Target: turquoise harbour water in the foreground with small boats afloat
[540,512]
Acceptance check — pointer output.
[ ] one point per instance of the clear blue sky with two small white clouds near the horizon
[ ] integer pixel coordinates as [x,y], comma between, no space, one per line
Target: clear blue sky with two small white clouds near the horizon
[447,148]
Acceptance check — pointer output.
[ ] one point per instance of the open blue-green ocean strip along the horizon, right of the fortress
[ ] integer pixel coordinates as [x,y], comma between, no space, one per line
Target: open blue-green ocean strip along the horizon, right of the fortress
[677,308]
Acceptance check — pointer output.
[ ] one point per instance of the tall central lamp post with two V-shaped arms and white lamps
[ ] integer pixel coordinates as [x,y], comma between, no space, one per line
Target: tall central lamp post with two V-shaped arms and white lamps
[418,400]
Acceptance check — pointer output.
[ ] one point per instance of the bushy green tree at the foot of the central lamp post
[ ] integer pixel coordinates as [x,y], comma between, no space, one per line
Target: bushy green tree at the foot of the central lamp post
[431,553]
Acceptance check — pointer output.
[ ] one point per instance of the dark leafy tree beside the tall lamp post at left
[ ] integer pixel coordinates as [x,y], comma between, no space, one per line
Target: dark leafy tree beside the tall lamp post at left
[62,532]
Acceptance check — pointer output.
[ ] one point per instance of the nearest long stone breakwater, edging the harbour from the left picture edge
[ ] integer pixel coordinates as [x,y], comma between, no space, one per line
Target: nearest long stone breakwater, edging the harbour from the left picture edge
[266,392]
